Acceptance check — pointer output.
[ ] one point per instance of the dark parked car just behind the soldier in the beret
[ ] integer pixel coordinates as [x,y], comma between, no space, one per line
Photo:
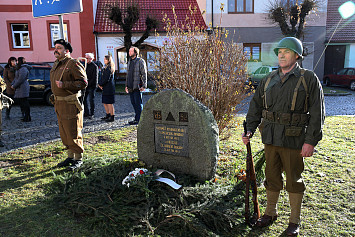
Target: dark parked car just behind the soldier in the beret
[40,85]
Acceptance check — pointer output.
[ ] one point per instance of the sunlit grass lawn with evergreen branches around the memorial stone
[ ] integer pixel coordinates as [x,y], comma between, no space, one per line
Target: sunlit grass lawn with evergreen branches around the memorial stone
[37,199]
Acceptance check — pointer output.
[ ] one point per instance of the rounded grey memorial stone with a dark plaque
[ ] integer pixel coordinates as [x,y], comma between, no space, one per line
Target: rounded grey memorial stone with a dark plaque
[178,133]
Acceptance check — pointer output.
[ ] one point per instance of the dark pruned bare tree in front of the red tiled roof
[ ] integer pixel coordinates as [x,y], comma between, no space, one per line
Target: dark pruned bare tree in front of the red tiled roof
[127,18]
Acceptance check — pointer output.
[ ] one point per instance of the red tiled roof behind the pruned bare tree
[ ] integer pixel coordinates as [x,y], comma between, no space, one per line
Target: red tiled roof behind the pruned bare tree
[153,8]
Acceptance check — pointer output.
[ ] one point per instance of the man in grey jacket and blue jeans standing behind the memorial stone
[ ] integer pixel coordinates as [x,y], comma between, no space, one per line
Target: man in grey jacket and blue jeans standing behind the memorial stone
[136,82]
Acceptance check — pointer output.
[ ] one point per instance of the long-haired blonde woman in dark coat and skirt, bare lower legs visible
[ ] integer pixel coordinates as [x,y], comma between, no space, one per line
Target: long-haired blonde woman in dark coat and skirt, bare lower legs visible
[107,85]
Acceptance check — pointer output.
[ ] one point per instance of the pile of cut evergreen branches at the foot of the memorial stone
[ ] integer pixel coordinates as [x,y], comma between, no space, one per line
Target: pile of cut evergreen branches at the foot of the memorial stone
[96,194]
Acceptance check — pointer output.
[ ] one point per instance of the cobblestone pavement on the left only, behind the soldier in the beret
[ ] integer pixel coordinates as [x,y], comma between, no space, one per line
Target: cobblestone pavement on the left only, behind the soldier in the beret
[44,124]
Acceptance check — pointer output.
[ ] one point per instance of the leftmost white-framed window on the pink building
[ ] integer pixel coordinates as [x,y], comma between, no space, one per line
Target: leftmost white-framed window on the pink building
[20,36]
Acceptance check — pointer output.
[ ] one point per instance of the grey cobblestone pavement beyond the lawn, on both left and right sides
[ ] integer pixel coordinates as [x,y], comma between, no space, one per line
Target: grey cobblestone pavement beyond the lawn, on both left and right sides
[44,125]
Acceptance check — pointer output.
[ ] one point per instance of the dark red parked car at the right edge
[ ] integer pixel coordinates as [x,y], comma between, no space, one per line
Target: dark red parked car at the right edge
[344,77]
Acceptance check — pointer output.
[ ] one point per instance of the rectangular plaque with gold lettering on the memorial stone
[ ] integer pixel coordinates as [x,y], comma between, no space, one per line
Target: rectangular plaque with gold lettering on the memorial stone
[171,139]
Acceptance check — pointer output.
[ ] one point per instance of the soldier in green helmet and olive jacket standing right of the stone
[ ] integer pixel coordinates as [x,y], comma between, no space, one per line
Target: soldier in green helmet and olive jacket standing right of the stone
[288,108]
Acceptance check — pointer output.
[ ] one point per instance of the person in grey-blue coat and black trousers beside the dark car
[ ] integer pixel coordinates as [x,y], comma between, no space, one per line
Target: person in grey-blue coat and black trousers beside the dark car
[22,88]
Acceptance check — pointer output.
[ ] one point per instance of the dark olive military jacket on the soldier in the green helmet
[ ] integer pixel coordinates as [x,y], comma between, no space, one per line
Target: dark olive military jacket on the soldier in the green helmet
[278,102]
